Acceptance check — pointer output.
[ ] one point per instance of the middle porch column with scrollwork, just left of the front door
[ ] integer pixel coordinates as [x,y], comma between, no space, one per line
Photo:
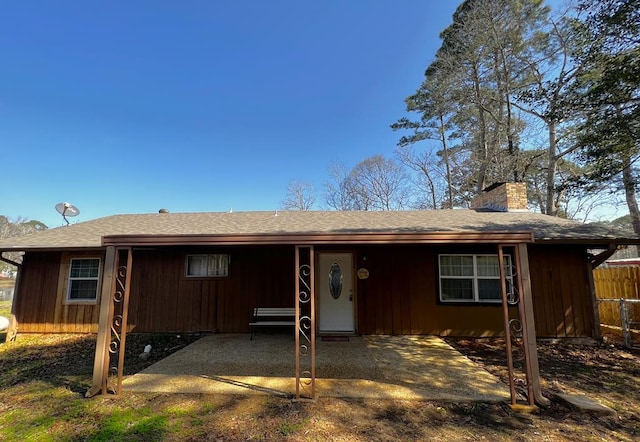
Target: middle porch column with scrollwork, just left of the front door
[305,324]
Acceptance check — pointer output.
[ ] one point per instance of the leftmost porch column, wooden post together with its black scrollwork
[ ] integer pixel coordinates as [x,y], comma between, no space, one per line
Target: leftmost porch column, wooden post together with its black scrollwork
[112,325]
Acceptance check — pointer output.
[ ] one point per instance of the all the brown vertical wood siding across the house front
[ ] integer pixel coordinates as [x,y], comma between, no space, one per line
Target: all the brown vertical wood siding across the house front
[400,296]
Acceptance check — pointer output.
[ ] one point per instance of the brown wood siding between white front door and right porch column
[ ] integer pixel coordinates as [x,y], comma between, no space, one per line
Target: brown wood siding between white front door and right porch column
[401,296]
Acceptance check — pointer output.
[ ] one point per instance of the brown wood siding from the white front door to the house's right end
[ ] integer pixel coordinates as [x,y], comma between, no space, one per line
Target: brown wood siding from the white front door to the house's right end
[401,295]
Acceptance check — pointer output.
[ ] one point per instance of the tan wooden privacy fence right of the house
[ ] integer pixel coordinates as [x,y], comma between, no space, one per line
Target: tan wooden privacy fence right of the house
[617,290]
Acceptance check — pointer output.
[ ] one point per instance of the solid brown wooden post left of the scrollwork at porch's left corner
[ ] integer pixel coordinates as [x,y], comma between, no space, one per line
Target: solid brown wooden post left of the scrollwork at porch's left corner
[101,358]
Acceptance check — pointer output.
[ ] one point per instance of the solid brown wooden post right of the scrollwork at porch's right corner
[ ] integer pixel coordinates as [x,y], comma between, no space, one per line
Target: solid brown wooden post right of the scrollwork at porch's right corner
[528,323]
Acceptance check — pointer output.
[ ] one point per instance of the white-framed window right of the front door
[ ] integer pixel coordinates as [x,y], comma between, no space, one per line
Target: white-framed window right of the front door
[473,278]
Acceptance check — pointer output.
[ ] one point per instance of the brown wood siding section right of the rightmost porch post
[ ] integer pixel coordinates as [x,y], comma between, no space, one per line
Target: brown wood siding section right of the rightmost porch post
[561,295]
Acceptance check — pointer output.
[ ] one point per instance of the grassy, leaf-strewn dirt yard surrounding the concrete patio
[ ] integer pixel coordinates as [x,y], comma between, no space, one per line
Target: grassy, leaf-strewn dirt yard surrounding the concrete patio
[44,378]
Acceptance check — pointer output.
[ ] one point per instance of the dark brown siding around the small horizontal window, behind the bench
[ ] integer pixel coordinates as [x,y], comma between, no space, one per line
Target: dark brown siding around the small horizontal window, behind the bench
[163,299]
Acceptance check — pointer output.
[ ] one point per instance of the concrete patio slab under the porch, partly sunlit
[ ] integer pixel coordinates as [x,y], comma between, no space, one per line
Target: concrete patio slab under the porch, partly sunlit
[392,367]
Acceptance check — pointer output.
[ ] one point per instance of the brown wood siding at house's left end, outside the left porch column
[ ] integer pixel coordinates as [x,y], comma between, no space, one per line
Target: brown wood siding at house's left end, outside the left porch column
[41,305]
